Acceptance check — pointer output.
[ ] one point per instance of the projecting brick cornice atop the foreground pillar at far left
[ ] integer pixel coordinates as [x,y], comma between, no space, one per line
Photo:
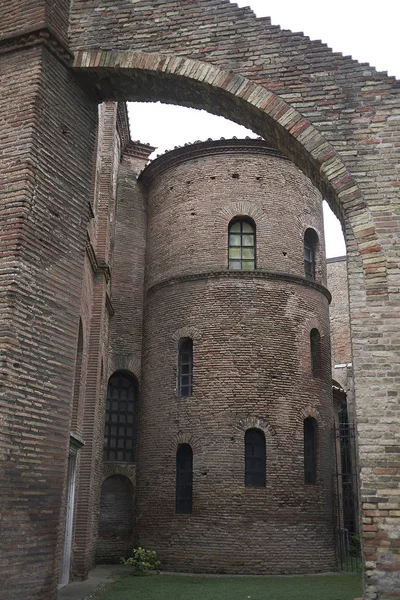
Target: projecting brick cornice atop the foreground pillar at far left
[41,34]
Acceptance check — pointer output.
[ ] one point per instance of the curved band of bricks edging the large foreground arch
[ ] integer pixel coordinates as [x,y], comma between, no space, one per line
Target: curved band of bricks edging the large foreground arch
[168,78]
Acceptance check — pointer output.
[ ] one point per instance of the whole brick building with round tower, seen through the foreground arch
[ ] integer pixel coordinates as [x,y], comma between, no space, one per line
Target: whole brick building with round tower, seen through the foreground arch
[208,364]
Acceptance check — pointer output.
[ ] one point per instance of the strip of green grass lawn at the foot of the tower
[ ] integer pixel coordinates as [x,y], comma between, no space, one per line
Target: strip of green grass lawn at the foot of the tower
[180,587]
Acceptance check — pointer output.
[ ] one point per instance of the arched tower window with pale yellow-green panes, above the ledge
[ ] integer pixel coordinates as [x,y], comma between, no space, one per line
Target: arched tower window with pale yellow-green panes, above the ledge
[242,244]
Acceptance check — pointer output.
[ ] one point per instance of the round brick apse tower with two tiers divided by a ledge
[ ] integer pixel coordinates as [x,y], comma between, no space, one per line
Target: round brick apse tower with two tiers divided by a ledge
[236,416]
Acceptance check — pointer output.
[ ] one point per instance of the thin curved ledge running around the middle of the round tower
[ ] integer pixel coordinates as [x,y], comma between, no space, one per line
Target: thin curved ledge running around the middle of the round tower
[246,275]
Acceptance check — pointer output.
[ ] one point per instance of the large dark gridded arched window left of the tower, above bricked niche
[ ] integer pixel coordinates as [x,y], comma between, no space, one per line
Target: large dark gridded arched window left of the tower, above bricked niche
[120,426]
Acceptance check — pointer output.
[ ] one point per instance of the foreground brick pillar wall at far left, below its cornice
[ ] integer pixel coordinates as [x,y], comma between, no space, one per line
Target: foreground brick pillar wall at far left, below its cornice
[42,256]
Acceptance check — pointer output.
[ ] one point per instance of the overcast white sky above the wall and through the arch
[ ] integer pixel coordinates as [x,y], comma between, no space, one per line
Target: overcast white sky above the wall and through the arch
[364,29]
